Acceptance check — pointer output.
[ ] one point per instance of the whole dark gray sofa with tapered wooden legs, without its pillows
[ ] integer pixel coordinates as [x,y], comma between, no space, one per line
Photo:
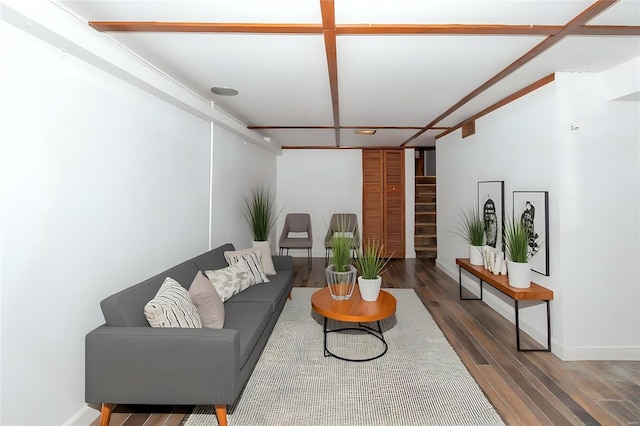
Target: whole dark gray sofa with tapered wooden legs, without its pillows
[128,362]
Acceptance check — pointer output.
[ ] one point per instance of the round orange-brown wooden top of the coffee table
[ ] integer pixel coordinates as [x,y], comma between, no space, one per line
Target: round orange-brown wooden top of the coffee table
[354,309]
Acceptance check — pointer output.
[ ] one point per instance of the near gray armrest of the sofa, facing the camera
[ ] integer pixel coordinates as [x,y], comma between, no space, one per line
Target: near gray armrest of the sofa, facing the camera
[144,365]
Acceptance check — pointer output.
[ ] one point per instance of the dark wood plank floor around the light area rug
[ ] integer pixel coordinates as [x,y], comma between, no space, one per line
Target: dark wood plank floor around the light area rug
[526,388]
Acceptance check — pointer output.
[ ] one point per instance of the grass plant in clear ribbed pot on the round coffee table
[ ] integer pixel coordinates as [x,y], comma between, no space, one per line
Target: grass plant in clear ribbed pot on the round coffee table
[341,274]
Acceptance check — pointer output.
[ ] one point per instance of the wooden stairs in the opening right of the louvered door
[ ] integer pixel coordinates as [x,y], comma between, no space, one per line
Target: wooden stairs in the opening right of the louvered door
[425,236]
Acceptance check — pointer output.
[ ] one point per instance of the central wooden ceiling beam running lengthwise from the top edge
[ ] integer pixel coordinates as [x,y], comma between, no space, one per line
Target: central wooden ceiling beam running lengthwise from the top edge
[329,32]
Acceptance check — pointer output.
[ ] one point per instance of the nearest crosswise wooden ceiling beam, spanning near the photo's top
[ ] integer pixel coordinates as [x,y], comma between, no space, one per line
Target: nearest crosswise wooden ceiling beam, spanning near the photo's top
[356,29]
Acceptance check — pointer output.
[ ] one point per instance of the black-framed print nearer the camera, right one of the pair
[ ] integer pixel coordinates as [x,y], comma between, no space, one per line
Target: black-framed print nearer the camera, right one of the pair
[534,207]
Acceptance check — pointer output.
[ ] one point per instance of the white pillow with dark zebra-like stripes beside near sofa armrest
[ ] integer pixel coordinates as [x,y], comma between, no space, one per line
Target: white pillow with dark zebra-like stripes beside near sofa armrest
[172,307]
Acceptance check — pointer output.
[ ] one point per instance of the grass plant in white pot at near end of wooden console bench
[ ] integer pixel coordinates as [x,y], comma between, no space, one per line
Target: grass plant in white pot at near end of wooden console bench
[520,247]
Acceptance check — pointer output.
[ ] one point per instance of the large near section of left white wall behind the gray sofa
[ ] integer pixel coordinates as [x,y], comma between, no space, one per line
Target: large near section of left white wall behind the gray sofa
[102,186]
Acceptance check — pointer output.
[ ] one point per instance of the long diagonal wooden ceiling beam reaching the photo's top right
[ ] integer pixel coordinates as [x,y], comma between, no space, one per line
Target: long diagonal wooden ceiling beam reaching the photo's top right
[588,14]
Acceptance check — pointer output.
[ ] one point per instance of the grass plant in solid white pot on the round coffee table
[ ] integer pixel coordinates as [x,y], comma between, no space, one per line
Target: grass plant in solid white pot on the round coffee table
[371,264]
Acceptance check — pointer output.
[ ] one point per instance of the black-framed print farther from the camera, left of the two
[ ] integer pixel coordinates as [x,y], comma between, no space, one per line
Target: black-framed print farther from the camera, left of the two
[491,208]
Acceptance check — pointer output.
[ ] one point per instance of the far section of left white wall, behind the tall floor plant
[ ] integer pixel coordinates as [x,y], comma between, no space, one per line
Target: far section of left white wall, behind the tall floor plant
[237,165]
